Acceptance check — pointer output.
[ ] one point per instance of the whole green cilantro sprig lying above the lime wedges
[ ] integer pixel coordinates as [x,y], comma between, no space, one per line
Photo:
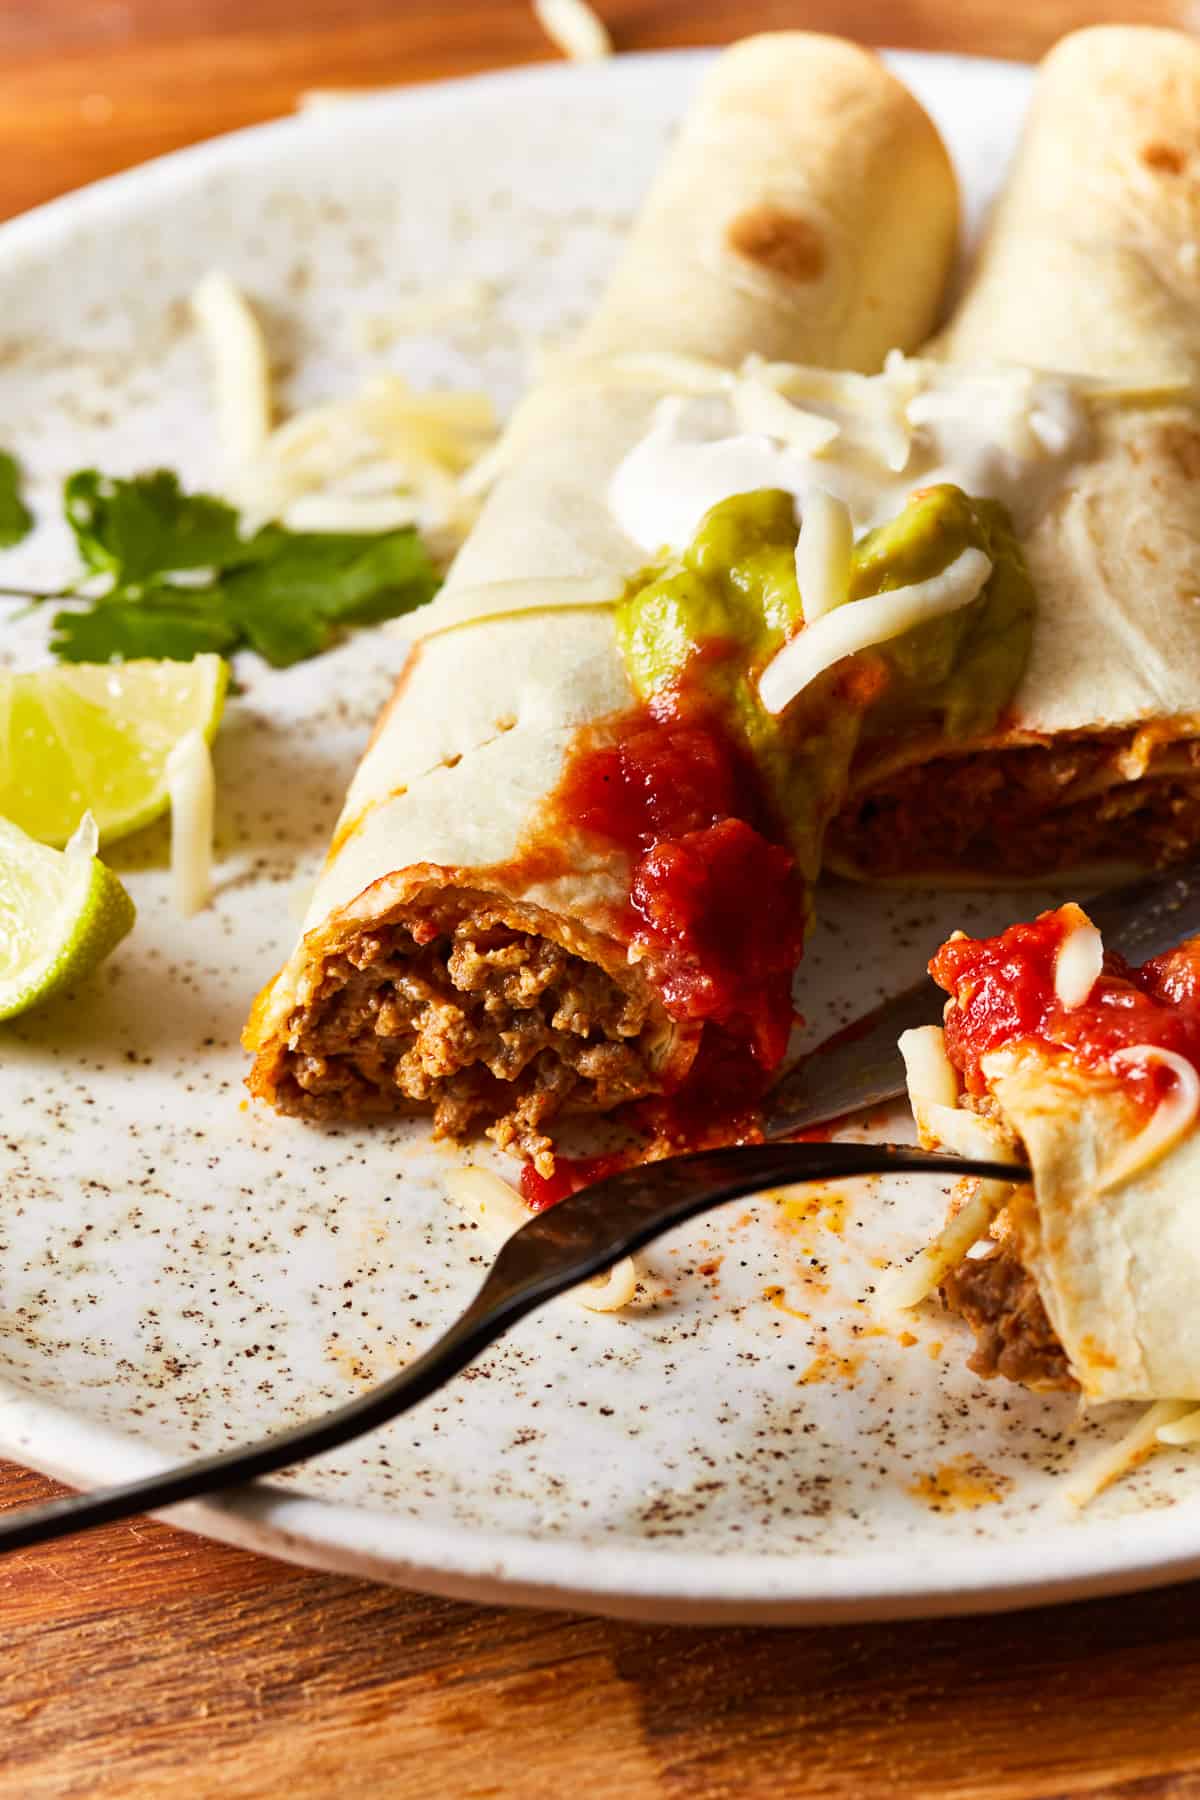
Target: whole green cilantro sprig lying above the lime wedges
[170,575]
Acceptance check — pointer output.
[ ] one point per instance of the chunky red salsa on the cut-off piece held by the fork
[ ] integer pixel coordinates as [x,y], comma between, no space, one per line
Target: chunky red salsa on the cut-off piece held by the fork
[1005,994]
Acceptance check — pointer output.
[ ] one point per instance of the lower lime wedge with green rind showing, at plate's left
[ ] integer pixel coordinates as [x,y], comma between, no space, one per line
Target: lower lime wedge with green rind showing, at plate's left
[62,912]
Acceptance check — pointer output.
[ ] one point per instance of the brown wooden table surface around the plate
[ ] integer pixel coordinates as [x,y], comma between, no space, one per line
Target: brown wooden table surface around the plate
[145,1662]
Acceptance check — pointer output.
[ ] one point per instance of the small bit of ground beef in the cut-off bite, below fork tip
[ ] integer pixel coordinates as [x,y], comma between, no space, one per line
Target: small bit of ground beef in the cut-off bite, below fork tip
[1014,1336]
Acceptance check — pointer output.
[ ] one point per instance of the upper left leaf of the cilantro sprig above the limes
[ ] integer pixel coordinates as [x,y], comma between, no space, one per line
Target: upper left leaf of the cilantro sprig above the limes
[143,528]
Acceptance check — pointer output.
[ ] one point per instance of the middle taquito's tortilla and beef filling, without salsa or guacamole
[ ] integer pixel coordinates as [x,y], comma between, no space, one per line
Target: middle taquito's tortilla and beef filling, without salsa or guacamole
[463,951]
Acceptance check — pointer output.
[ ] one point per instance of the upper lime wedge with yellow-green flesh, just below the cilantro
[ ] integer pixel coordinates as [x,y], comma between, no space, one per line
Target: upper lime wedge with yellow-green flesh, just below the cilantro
[94,737]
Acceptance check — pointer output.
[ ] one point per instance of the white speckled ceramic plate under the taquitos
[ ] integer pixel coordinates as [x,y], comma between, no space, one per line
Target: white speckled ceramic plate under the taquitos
[181,1273]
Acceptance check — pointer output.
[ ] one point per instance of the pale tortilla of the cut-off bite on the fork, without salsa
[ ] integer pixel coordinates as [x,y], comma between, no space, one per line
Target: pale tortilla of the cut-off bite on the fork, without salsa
[1118,1272]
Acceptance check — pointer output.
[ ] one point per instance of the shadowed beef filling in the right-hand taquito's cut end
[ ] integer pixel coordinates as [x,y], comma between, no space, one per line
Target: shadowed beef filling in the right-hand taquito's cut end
[1019,813]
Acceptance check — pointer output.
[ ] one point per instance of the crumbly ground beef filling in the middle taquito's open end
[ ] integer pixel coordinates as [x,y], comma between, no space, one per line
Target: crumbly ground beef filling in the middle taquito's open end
[481,1025]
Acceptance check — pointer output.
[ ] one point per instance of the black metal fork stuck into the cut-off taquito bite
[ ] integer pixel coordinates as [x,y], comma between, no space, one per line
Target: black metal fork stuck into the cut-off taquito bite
[557,1250]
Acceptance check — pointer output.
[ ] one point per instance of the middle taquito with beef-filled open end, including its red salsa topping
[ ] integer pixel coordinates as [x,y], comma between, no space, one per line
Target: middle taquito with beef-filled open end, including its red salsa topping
[557,886]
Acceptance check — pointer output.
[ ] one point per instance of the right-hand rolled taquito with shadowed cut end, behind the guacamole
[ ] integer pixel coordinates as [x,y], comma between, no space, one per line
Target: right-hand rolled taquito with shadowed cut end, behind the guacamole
[1091,267]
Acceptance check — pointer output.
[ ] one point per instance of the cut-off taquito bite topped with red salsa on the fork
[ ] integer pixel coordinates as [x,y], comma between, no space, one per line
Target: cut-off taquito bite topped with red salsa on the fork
[1062,1056]
